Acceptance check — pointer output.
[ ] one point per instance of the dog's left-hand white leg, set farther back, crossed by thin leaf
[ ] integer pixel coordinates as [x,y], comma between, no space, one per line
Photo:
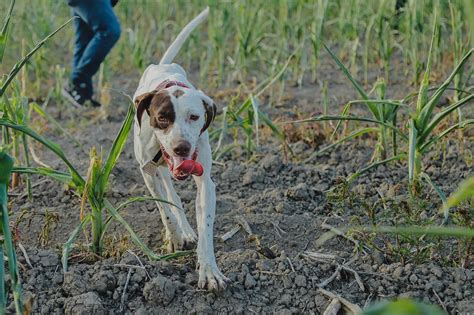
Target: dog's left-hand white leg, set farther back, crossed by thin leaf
[178,235]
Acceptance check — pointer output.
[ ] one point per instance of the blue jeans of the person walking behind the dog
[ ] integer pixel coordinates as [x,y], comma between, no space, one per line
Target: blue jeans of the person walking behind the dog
[97,30]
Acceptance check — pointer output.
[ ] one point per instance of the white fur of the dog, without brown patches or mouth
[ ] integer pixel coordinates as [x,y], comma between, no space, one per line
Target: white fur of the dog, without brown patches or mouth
[147,143]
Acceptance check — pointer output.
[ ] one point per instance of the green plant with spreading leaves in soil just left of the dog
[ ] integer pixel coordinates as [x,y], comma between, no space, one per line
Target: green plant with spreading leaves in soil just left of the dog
[93,188]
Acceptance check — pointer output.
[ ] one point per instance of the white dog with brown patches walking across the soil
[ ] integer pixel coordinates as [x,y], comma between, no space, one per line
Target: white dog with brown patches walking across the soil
[170,139]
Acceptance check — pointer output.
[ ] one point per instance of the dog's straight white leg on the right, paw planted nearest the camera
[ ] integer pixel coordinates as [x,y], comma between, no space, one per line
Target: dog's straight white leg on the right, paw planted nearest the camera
[209,274]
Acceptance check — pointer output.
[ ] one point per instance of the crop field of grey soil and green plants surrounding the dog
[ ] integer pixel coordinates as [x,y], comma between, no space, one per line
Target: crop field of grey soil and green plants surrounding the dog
[343,160]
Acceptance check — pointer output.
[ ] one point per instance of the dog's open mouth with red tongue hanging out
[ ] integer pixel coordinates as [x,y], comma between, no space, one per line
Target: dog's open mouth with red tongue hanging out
[180,167]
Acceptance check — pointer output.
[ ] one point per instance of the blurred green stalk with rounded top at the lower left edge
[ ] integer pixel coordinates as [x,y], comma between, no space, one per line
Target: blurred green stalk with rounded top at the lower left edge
[6,165]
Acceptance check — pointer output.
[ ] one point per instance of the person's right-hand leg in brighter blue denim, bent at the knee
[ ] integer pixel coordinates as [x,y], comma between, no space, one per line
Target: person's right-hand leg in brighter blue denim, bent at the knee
[101,19]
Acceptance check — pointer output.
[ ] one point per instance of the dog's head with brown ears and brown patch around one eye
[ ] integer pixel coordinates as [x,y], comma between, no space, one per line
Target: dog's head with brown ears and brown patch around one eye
[178,116]
